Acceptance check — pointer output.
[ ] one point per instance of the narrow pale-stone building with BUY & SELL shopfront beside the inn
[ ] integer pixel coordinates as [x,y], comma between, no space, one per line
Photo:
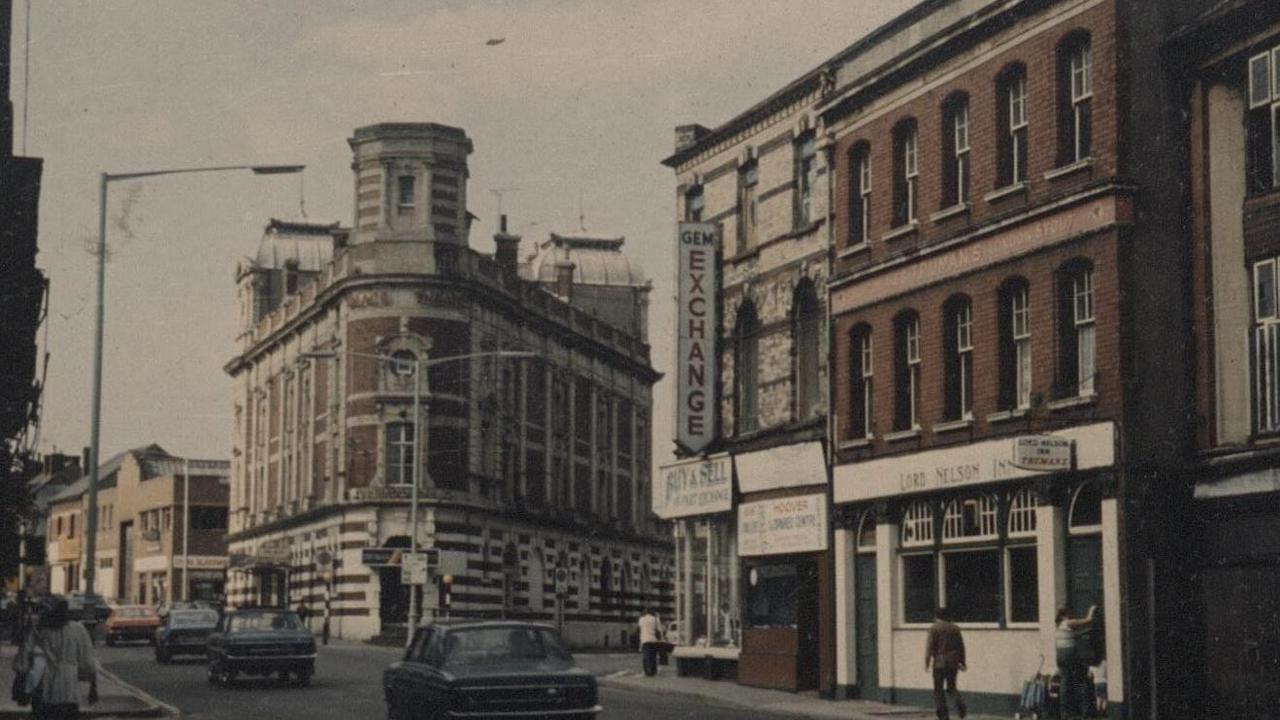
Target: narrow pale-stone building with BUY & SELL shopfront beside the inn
[755,603]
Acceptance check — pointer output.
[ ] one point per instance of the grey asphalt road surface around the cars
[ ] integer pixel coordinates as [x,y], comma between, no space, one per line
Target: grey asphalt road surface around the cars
[348,685]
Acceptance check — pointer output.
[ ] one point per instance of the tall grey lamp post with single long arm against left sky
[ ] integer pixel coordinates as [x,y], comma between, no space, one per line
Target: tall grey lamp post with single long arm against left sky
[97,413]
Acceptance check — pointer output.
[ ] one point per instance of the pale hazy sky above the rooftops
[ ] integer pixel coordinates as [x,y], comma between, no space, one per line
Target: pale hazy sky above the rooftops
[570,115]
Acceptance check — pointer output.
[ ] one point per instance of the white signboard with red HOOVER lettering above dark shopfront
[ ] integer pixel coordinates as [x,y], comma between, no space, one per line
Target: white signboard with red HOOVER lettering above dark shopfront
[787,525]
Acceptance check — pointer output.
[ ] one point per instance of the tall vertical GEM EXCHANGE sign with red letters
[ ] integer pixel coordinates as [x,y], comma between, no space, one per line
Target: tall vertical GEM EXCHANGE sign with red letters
[696,326]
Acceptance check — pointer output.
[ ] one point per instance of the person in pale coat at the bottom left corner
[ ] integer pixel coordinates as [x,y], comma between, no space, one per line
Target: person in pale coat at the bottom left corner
[57,655]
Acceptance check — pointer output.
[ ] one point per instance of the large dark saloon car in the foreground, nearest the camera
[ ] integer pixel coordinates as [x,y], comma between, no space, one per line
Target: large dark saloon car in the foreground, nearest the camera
[488,671]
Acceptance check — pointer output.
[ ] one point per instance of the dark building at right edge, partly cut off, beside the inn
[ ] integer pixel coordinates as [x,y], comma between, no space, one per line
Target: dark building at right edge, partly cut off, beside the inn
[1231,60]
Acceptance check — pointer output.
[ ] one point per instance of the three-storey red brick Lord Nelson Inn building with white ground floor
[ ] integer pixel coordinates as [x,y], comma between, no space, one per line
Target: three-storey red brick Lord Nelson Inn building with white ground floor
[1008,272]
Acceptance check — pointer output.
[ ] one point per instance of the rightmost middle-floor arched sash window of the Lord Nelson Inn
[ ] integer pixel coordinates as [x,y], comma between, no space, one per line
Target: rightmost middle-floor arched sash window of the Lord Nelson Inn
[1077,370]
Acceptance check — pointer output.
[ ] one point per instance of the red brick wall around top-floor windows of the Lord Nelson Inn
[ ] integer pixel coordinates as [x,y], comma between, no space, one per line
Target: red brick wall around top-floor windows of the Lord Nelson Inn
[1039,54]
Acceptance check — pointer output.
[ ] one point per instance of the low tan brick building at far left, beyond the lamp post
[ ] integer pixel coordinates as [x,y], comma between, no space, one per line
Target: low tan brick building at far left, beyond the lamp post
[141,554]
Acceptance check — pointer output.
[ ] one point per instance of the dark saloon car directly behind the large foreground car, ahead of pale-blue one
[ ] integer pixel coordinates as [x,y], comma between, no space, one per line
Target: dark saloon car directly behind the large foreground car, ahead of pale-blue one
[262,642]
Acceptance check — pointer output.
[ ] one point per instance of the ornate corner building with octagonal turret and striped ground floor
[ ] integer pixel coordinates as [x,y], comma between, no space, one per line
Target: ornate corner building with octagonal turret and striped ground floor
[527,466]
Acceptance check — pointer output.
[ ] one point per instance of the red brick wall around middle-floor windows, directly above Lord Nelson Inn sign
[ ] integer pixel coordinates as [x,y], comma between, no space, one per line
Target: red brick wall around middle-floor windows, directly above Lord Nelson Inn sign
[1039,271]
